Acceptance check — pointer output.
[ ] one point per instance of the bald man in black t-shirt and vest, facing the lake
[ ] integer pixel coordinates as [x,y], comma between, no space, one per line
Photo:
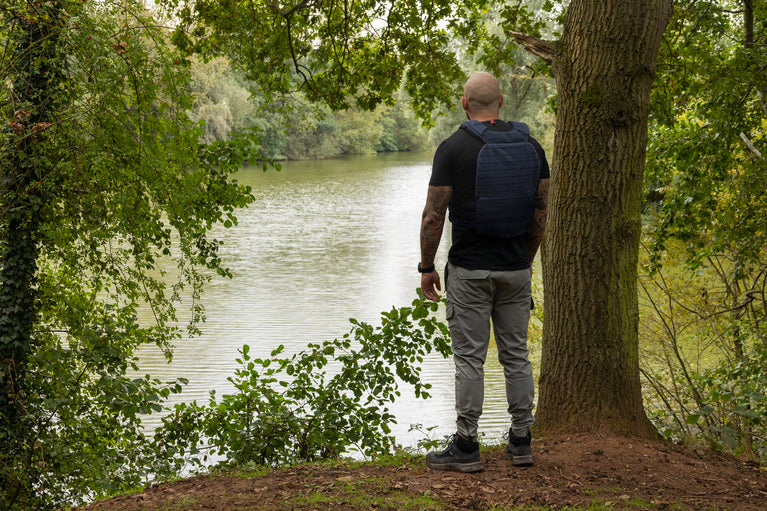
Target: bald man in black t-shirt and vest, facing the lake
[494,177]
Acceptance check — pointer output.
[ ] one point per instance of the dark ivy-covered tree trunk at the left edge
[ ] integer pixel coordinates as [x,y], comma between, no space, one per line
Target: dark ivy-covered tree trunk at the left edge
[35,81]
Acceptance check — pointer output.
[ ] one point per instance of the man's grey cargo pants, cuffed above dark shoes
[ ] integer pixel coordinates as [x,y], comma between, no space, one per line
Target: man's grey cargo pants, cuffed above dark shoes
[474,297]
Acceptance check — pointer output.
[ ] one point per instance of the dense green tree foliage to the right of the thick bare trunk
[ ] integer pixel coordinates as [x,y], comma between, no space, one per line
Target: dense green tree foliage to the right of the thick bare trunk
[705,169]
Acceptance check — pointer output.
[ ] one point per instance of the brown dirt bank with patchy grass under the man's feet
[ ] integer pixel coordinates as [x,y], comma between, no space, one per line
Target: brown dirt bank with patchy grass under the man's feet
[569,472]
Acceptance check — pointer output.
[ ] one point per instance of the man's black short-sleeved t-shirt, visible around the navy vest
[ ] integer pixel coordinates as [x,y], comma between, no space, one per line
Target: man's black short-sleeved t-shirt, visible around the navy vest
[455,165]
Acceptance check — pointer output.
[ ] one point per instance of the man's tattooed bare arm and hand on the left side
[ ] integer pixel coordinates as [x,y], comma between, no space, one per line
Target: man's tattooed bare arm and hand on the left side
[432,223]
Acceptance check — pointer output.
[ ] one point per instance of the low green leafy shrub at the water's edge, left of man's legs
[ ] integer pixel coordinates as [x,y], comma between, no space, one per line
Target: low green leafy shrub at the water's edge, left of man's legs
[320,403]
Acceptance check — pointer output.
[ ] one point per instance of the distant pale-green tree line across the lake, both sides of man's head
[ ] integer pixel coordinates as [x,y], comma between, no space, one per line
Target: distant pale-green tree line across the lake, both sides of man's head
[292,128]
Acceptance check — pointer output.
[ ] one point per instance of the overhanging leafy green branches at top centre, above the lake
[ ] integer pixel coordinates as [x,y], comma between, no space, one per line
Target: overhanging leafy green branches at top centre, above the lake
[337,52]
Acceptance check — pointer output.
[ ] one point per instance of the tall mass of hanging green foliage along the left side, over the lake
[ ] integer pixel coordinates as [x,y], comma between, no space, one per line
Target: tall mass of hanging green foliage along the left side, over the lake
[102,178]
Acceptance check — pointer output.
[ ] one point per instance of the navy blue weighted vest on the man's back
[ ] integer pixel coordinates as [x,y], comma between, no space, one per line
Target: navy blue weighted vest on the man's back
[507,180]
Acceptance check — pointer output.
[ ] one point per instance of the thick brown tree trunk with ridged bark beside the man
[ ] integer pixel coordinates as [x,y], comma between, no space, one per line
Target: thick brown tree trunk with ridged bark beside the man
[604,67]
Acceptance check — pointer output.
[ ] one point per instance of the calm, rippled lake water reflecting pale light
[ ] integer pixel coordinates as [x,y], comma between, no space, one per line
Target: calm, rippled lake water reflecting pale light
[323,242]
